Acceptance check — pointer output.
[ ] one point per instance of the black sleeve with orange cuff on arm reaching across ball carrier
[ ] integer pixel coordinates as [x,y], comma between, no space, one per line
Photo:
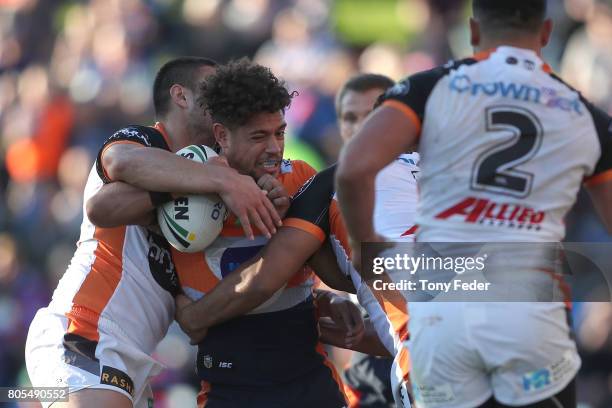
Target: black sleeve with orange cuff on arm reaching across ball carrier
[309,209]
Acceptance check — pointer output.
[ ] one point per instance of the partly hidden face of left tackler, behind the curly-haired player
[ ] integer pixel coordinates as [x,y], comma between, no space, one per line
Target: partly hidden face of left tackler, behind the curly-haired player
[198,120]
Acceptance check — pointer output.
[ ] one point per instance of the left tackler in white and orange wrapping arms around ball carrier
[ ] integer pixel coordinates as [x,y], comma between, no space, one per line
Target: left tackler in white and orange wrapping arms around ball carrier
[108,313]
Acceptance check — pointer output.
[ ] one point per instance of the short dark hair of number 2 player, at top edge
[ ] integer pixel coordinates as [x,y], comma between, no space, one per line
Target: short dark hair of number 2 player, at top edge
[523,15]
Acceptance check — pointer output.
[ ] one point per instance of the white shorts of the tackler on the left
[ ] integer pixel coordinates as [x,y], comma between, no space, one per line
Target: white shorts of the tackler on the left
[117,365]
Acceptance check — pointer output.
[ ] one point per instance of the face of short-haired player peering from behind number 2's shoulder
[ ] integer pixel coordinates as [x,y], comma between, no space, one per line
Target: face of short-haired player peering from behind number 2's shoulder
[354,108]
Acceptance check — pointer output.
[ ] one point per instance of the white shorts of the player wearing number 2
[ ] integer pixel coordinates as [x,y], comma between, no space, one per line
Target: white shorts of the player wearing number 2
[464,353]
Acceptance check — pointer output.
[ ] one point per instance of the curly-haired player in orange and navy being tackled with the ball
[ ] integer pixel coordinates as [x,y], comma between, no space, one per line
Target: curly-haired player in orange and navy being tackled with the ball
[269,357]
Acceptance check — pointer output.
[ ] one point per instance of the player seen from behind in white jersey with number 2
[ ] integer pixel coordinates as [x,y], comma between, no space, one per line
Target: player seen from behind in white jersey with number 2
[498,129]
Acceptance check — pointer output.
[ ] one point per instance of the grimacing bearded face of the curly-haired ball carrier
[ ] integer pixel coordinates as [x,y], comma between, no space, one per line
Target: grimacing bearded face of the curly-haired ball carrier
[257,147]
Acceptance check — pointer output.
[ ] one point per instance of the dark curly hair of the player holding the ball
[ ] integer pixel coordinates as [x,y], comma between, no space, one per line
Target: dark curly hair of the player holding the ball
[240,90]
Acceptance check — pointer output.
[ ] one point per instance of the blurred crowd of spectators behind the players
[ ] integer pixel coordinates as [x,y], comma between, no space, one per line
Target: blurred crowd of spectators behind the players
[73,71]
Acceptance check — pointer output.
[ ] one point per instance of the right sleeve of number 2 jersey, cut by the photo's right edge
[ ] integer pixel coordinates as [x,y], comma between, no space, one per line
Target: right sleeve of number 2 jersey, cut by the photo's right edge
[603,126]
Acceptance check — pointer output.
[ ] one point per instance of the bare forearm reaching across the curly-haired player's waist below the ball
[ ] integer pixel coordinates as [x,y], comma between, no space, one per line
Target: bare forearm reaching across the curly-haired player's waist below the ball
[251,284]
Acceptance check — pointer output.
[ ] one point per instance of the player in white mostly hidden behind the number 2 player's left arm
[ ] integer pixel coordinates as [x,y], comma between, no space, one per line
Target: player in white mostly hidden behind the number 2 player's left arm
[368,379]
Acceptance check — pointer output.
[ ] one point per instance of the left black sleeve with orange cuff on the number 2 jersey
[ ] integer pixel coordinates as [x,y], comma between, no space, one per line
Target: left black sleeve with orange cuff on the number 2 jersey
[410,95]
